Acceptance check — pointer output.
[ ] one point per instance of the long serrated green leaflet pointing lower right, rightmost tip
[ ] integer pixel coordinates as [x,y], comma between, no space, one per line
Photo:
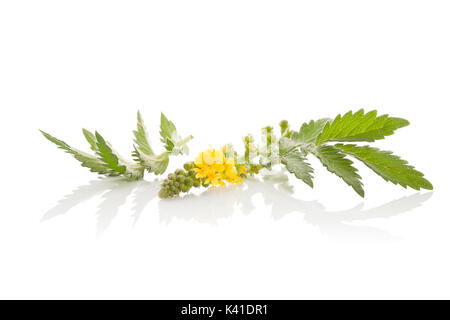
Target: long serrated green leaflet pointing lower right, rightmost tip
[387,165]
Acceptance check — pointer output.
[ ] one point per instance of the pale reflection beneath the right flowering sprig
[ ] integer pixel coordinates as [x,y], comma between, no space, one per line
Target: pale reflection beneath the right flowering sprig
[213,206]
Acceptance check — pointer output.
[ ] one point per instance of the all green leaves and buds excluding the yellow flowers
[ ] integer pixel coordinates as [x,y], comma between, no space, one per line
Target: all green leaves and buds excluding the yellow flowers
[322,138]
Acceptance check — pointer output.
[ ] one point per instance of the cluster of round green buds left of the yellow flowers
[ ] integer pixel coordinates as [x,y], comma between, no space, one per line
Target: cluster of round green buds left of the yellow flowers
[182,180]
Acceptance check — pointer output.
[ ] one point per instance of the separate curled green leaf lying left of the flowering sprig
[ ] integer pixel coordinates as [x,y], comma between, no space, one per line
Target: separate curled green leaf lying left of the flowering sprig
[108,162]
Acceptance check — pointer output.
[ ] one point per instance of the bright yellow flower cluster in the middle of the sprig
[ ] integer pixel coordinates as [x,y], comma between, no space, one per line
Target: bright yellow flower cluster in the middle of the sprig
[213,166]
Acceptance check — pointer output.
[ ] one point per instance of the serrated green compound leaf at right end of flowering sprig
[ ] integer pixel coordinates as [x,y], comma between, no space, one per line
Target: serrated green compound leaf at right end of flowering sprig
[359,126]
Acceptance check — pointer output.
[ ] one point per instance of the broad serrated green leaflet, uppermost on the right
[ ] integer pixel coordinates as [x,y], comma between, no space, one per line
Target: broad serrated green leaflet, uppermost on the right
[360,127]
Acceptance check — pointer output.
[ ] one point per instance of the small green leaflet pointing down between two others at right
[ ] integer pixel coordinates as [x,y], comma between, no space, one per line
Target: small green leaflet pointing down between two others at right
[334,160]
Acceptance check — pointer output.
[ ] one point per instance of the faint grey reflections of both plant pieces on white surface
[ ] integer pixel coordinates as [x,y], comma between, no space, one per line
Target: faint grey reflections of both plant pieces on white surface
[215,204]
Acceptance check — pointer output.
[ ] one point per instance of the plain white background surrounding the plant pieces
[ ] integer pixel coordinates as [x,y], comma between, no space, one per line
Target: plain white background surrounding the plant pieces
[219,70]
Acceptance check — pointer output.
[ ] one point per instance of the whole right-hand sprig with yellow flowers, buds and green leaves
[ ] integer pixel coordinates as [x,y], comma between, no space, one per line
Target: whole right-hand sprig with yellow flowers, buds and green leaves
[322,138]
